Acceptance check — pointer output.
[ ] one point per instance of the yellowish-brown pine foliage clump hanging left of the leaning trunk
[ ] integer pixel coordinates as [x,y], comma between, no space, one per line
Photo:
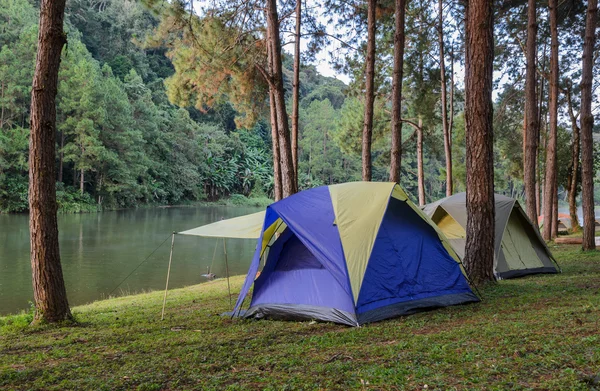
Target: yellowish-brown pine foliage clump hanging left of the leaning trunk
[214,62]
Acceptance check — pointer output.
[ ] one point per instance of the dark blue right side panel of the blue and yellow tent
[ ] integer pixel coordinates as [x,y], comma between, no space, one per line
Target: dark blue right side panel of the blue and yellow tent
[409,269]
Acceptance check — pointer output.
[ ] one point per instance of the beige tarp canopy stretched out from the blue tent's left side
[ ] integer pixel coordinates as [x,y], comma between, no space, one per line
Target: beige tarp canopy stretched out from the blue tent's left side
[243,227]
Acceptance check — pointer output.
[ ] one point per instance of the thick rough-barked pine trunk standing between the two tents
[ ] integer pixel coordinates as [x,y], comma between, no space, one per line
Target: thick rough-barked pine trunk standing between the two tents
[479,249]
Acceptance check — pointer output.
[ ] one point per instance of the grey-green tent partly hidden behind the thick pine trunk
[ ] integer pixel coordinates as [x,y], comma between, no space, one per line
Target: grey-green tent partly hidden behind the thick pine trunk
[519,248]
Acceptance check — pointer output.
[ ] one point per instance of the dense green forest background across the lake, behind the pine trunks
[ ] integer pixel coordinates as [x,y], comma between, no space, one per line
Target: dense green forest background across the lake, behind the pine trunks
[158,103]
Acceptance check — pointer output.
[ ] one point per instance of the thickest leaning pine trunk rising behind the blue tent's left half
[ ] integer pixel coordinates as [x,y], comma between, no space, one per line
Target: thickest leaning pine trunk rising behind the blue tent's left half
[289,183]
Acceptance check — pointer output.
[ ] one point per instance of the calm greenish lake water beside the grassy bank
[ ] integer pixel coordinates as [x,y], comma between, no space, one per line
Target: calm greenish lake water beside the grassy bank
[99,250]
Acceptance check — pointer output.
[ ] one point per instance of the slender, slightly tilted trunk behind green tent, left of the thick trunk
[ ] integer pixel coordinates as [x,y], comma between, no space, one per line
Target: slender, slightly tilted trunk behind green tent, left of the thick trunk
[445,127]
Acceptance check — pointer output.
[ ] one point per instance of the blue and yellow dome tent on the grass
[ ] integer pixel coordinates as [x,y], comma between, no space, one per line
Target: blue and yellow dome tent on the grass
[351,253]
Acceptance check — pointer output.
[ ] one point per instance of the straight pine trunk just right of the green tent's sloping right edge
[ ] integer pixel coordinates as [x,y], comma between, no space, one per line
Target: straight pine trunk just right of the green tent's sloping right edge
[550,185]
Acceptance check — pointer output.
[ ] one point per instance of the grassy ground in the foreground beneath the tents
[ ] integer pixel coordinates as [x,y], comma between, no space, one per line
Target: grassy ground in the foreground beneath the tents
[535,333]
